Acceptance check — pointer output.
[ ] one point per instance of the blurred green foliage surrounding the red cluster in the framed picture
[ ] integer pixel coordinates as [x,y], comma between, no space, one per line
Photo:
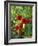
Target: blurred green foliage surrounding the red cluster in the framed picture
[24,11]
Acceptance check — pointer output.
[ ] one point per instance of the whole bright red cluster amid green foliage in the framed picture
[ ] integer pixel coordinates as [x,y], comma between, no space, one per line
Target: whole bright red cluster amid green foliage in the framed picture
[22,21]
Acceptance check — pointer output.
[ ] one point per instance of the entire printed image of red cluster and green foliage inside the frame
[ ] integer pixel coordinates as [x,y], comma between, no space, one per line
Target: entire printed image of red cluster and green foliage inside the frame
[21,16]
